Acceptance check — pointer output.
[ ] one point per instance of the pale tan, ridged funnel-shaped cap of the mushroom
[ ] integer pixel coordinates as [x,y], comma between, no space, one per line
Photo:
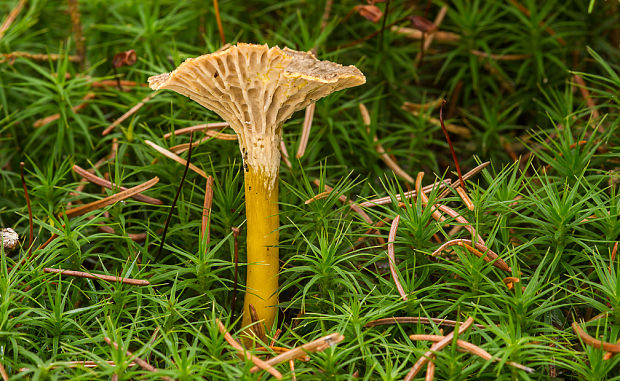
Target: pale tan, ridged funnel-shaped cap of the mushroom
[255,89]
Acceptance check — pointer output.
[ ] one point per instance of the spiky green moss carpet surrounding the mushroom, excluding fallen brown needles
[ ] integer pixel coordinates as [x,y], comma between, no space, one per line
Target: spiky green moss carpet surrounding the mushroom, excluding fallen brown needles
[552,216]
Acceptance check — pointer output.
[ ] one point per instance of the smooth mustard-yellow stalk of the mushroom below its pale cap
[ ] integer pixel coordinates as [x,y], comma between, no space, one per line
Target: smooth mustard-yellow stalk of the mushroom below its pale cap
[261,207]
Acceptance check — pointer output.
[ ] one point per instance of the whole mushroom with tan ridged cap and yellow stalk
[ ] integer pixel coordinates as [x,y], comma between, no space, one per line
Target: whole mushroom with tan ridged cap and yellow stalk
[256,89]
